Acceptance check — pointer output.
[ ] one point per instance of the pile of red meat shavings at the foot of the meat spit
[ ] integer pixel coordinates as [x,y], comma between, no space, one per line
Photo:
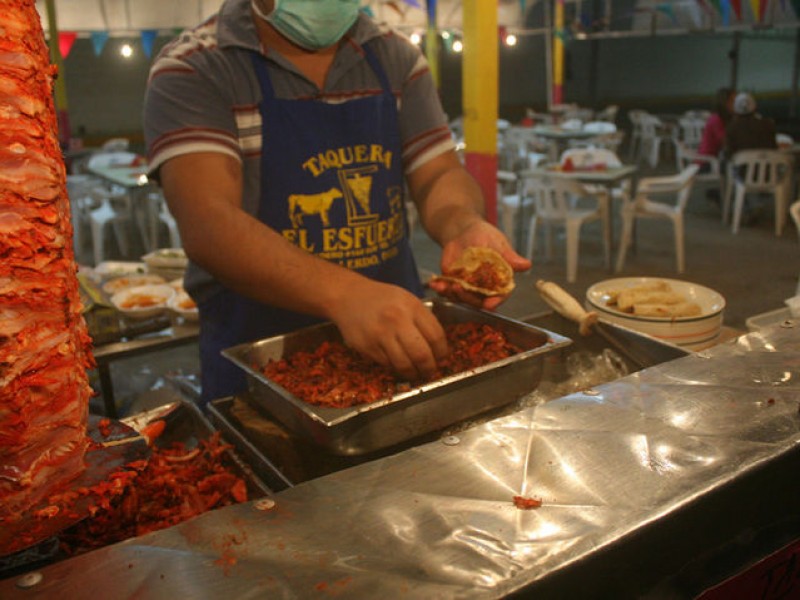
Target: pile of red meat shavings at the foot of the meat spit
[176,484]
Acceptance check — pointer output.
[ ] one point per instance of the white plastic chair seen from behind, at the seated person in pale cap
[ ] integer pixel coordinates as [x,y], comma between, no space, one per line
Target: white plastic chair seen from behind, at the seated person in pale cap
[758,171]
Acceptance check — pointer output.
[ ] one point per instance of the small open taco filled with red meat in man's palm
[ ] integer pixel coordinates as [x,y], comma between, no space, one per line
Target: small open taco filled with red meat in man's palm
[482,271]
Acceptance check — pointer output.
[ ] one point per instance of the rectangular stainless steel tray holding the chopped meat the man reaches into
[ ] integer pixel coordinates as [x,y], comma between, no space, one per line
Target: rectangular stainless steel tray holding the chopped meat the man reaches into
[393,420]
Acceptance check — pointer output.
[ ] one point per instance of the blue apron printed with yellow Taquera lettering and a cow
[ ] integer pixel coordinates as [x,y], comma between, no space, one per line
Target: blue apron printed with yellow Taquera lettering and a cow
[332,184]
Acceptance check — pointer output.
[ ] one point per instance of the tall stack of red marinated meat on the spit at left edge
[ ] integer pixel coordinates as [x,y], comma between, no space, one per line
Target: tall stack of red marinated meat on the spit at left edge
[44,344]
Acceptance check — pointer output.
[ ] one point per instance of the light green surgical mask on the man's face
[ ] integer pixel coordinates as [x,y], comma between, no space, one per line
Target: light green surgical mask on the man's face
[312,24]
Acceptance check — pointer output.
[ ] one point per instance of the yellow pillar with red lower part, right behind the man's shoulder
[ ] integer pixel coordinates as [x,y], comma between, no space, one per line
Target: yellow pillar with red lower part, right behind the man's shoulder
[480,97]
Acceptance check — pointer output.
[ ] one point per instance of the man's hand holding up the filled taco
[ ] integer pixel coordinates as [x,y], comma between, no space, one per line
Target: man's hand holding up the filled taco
[481,234]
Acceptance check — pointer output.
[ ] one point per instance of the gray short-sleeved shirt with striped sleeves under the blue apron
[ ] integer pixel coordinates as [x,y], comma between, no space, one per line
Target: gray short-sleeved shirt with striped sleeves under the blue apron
[203,95]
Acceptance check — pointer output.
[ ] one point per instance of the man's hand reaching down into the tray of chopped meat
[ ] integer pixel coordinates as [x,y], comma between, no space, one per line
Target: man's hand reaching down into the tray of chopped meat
[392,327]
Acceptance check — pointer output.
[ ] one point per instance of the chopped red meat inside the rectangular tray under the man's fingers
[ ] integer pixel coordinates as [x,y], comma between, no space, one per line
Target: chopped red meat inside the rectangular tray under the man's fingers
[337,376]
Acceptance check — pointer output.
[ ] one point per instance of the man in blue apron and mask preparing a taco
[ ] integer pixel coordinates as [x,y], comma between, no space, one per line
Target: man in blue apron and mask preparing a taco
[284,133]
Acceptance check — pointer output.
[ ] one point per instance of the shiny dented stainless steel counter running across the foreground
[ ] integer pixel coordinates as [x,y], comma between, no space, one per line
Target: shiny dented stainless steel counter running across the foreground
[655,485]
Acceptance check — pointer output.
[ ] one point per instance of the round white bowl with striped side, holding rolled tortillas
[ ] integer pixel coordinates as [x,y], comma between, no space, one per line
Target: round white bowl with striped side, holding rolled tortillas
[690,333]
